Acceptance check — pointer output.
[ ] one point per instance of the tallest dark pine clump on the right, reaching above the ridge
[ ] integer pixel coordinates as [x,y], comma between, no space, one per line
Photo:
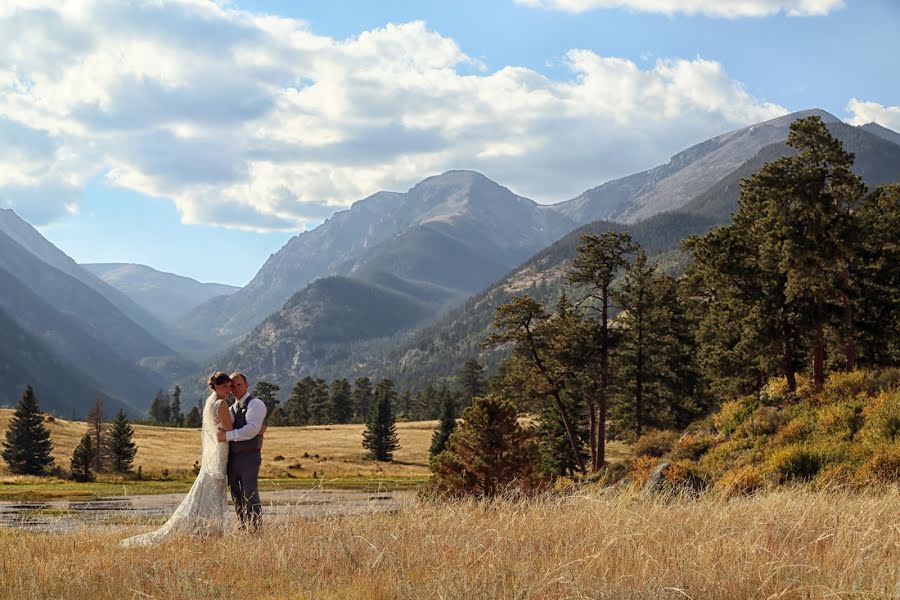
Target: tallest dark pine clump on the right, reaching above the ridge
[781,275]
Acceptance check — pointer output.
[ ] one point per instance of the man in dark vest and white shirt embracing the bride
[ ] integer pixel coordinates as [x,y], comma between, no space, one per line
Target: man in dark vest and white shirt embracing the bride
[244,452]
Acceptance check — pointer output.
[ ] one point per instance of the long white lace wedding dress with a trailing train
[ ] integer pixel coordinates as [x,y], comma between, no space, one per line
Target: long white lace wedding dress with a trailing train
[202,511]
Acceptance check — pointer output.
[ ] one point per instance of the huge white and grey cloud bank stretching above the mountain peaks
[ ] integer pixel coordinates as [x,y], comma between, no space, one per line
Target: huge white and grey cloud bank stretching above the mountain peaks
[245,118]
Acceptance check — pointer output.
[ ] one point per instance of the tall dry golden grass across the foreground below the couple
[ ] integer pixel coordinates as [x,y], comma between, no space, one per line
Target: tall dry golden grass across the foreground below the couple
[785,544]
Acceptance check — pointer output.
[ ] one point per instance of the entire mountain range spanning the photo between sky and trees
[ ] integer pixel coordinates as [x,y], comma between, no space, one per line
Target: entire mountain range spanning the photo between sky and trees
[400,284]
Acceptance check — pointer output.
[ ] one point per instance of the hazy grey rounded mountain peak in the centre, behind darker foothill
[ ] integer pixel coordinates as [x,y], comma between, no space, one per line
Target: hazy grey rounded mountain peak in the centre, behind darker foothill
[461,206]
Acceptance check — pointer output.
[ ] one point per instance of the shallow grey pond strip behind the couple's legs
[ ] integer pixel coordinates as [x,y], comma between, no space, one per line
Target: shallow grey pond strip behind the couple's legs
[63,516]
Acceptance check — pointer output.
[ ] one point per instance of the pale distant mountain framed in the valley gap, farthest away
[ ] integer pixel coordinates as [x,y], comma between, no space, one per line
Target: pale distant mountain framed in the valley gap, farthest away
[166,296]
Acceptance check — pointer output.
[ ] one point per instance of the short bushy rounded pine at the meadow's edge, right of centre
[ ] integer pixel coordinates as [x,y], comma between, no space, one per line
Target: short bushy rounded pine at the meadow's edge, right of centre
[488,454]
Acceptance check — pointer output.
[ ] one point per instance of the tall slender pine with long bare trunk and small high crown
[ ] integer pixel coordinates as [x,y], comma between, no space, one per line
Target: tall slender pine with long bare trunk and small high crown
[599,260]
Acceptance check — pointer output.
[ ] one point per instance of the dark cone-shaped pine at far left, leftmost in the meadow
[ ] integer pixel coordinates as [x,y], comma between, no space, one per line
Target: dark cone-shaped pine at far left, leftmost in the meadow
[27,447]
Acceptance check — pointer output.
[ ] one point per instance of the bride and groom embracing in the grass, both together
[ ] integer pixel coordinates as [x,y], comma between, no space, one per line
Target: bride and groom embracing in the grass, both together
[230,457]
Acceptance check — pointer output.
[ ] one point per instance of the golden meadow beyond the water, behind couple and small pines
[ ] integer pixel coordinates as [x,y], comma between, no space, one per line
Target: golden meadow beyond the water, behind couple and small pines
[330,455]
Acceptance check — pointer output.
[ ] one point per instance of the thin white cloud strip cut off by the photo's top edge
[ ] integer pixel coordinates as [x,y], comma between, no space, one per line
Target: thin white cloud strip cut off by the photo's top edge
[729,9]
